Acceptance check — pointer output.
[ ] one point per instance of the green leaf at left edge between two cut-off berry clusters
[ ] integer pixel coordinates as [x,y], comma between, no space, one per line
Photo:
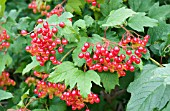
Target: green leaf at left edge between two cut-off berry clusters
[5,60]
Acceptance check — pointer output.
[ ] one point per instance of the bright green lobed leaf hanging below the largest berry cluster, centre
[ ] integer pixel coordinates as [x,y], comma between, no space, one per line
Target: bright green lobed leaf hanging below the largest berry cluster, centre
[71,76]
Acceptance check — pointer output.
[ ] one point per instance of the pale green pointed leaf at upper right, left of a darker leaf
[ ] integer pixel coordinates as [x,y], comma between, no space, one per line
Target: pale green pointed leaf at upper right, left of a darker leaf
[118,17]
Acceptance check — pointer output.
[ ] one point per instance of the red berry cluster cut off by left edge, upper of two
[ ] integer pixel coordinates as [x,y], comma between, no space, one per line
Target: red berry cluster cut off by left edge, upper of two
[3,40]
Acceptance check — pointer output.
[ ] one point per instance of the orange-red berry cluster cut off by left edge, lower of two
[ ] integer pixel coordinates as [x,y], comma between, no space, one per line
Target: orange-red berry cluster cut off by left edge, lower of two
[5,80]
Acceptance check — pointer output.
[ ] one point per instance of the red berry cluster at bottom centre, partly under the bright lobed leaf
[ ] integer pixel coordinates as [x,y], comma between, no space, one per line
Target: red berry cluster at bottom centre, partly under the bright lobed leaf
[74,99]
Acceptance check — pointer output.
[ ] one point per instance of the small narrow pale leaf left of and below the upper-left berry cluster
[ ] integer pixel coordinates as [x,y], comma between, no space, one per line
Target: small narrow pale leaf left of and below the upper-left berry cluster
[30,66]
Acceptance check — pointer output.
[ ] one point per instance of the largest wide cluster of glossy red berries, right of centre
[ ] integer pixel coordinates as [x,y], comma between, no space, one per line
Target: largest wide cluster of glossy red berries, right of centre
[105,57]
